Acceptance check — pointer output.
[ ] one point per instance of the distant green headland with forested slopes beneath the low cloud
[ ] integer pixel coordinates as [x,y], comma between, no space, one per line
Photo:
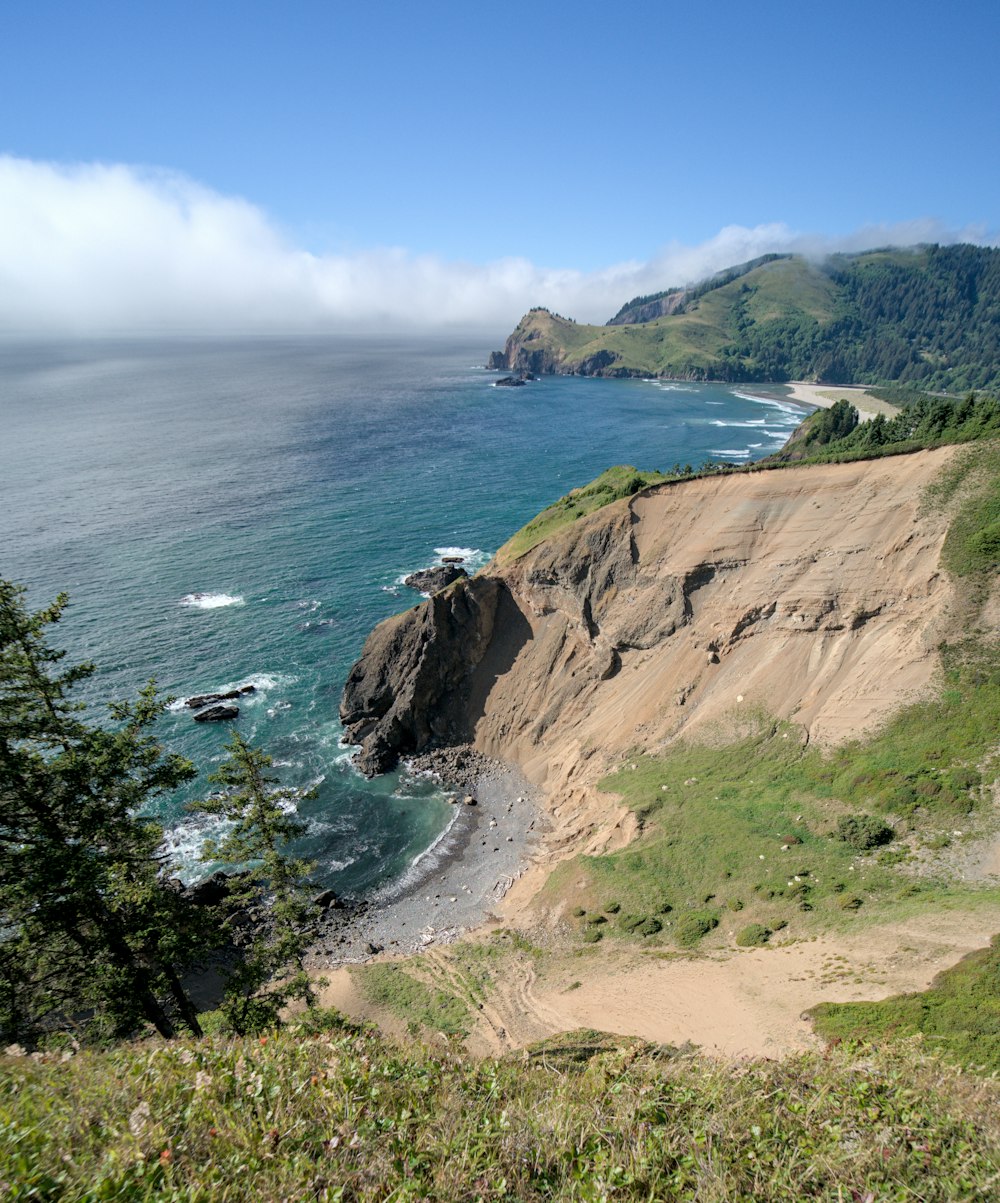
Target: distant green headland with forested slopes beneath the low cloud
[926,317]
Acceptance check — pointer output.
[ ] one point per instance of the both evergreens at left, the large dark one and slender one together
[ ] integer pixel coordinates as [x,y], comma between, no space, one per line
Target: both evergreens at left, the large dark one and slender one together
[94,935]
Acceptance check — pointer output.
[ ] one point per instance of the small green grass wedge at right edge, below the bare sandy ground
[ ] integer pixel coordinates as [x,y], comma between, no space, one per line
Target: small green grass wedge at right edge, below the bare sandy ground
[958,1017]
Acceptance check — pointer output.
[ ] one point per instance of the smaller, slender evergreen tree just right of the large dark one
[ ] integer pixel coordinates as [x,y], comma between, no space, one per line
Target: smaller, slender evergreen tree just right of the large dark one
[270,971]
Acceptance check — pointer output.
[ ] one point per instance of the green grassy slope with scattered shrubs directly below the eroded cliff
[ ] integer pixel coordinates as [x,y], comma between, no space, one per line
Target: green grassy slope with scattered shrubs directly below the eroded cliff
[758,827]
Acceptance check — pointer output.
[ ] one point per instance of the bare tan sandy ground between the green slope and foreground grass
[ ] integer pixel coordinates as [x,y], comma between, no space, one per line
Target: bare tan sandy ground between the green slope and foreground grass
[730,1003]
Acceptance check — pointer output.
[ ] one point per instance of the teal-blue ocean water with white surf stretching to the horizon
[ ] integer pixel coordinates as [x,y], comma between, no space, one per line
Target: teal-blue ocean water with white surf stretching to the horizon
[227,513]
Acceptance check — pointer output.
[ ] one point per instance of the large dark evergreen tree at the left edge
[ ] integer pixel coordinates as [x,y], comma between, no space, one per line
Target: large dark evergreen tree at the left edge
[87,925]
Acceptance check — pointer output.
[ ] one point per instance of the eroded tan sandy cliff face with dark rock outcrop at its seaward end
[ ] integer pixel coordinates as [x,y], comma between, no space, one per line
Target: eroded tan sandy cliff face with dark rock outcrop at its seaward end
[810,594]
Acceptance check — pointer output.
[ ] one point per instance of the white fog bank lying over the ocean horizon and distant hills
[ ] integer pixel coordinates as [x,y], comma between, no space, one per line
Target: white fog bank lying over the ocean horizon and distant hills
[96,248]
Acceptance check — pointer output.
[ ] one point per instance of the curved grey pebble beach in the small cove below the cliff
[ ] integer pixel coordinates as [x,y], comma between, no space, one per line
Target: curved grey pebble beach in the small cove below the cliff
[455,885]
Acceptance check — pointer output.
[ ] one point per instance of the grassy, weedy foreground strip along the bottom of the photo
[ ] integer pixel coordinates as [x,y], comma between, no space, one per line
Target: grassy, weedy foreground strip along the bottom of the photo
[332,1112]
